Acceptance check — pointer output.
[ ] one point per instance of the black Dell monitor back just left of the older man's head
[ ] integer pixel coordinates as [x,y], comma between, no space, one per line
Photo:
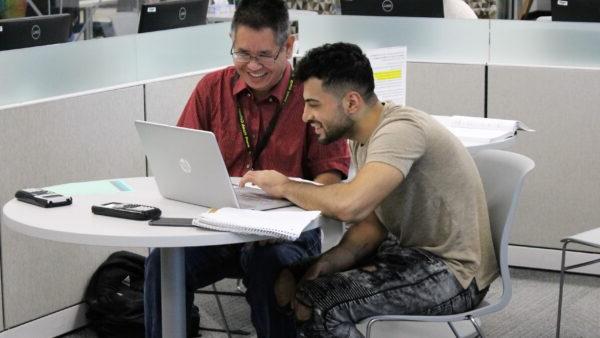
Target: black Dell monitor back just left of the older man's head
[173,14]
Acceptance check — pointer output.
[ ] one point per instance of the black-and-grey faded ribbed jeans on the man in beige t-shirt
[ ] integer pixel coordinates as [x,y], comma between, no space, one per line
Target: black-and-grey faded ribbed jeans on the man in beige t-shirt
[394,281]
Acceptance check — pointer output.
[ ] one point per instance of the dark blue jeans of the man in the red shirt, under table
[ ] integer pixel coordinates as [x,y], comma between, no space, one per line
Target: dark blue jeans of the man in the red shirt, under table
[258,265]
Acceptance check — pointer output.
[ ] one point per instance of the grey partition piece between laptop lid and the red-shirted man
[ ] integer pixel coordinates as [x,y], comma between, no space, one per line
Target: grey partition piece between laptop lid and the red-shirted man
[166,99]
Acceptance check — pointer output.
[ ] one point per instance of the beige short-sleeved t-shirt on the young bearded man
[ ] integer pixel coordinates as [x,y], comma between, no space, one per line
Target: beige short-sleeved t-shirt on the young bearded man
[440,205]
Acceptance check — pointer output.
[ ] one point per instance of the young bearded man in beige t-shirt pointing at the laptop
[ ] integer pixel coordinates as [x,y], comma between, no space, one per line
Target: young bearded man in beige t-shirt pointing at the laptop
[420,242]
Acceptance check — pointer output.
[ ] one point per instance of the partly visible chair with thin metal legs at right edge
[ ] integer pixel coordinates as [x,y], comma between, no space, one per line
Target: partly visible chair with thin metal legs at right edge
[589,238]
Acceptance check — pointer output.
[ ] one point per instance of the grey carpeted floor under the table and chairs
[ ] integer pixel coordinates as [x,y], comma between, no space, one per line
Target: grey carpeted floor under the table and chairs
[531,312]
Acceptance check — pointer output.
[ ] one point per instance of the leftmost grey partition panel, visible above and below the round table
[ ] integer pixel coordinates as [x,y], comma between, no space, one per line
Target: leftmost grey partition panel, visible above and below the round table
[72,139]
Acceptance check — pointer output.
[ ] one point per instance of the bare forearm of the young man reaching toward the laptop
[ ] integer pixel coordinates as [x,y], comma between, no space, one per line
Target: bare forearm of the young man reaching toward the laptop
[349,202]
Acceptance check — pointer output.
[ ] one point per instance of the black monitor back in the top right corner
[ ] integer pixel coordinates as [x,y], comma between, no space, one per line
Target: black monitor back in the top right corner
[576,10]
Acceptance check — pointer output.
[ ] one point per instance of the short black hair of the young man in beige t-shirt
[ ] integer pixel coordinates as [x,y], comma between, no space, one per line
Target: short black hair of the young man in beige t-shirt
[341,66]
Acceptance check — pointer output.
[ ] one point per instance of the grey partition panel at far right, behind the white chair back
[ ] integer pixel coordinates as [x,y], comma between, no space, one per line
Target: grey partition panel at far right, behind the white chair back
[560,197]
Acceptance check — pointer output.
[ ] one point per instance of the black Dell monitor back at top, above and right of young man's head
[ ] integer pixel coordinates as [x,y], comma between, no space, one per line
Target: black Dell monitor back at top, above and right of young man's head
[419,8]
